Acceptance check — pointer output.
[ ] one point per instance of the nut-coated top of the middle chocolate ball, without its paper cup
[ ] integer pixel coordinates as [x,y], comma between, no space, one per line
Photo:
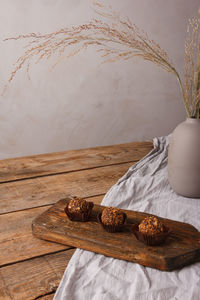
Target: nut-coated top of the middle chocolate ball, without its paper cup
[112,216]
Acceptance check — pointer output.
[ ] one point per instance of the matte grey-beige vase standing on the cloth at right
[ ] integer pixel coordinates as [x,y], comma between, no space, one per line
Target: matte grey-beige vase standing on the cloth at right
[184,159]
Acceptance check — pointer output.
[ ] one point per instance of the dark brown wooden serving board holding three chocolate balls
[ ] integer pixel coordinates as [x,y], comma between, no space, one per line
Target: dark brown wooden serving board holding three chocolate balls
[181,248]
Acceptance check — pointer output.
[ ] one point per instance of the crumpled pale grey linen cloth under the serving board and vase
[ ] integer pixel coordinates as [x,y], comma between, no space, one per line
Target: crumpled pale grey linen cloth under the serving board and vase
[144,188]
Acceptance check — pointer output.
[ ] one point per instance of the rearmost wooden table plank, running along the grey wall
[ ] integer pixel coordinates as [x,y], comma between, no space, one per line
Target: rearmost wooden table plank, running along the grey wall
[60,162]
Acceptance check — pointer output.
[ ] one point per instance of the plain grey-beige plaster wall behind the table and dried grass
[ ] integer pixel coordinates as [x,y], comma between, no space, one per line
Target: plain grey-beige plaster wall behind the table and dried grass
[80,104]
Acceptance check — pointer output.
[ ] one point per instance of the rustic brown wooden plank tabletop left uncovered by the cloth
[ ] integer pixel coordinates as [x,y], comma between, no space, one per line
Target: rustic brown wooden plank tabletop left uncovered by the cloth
[31,268]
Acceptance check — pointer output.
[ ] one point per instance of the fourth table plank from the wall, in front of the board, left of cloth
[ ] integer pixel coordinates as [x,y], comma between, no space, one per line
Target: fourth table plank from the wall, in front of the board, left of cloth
[34,278]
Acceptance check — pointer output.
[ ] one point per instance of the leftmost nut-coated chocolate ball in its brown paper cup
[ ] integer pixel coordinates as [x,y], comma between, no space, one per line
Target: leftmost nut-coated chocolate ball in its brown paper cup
[78,209]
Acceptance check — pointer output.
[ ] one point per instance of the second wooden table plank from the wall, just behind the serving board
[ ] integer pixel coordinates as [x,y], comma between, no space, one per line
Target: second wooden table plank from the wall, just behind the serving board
[36,192]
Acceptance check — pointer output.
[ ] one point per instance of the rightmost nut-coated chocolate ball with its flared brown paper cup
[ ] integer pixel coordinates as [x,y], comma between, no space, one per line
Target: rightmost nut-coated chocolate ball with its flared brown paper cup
[151,231]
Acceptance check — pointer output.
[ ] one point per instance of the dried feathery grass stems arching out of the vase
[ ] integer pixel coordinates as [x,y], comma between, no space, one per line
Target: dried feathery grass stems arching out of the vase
[118,39]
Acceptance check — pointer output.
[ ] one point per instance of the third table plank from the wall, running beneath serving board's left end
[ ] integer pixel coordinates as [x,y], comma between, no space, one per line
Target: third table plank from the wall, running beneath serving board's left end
[17,242]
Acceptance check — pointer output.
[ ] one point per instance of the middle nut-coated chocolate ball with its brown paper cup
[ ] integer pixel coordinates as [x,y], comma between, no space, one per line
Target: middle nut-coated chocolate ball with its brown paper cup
[112,219]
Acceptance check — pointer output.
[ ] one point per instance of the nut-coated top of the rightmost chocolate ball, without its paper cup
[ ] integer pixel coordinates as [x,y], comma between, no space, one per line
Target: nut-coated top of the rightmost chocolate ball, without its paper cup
[151,226]
